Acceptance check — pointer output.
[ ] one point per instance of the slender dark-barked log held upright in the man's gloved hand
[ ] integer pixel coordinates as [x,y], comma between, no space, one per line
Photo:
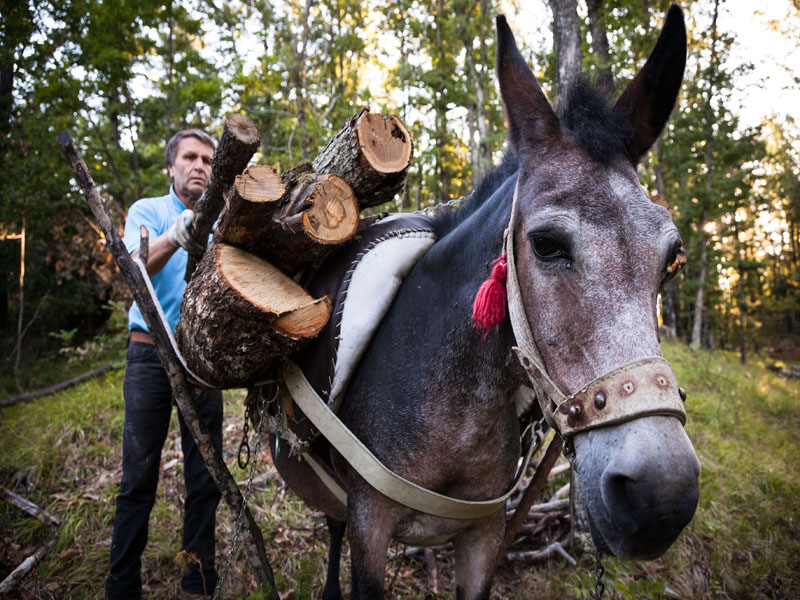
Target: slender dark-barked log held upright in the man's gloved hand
[239,141]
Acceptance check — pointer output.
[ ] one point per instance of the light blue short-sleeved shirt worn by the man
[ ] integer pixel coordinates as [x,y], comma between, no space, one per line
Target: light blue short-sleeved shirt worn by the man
[158,215]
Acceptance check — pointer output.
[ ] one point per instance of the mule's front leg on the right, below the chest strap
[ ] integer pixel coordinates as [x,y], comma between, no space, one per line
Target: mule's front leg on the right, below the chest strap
[476,558]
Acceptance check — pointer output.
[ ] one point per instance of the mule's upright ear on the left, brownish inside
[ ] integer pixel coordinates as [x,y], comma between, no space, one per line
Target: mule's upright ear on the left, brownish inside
[531,119]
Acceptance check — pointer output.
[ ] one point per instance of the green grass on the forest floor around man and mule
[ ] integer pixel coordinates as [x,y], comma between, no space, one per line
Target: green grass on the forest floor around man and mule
[63,453]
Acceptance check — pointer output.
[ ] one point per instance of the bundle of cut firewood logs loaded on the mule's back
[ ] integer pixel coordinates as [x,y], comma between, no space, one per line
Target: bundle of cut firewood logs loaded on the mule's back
[242,307]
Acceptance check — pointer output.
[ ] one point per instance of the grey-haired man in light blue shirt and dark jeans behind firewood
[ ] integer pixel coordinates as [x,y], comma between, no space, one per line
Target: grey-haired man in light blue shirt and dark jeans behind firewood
[148,395]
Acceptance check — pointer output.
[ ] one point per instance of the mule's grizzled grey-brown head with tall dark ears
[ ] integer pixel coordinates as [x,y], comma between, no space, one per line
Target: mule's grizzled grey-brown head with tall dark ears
[592,252]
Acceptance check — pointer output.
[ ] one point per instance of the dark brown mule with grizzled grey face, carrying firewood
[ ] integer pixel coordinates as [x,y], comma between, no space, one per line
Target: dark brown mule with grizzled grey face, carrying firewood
[430,398]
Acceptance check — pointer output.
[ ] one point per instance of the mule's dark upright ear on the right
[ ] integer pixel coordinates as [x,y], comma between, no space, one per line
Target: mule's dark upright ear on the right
[648,100]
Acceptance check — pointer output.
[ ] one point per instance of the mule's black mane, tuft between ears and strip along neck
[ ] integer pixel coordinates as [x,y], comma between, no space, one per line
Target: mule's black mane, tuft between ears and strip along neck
[587,113]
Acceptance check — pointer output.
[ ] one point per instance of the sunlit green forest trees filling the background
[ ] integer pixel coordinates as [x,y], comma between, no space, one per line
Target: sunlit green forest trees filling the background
[124,76]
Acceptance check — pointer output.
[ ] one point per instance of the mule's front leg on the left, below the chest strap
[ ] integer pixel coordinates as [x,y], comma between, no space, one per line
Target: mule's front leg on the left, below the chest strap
[370,523]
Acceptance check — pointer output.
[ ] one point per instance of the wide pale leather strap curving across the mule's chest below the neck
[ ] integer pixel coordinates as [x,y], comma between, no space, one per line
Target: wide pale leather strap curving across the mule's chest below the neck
[374,471]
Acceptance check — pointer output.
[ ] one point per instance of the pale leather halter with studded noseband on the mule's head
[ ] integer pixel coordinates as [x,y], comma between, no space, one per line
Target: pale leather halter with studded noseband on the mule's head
[642,387]
